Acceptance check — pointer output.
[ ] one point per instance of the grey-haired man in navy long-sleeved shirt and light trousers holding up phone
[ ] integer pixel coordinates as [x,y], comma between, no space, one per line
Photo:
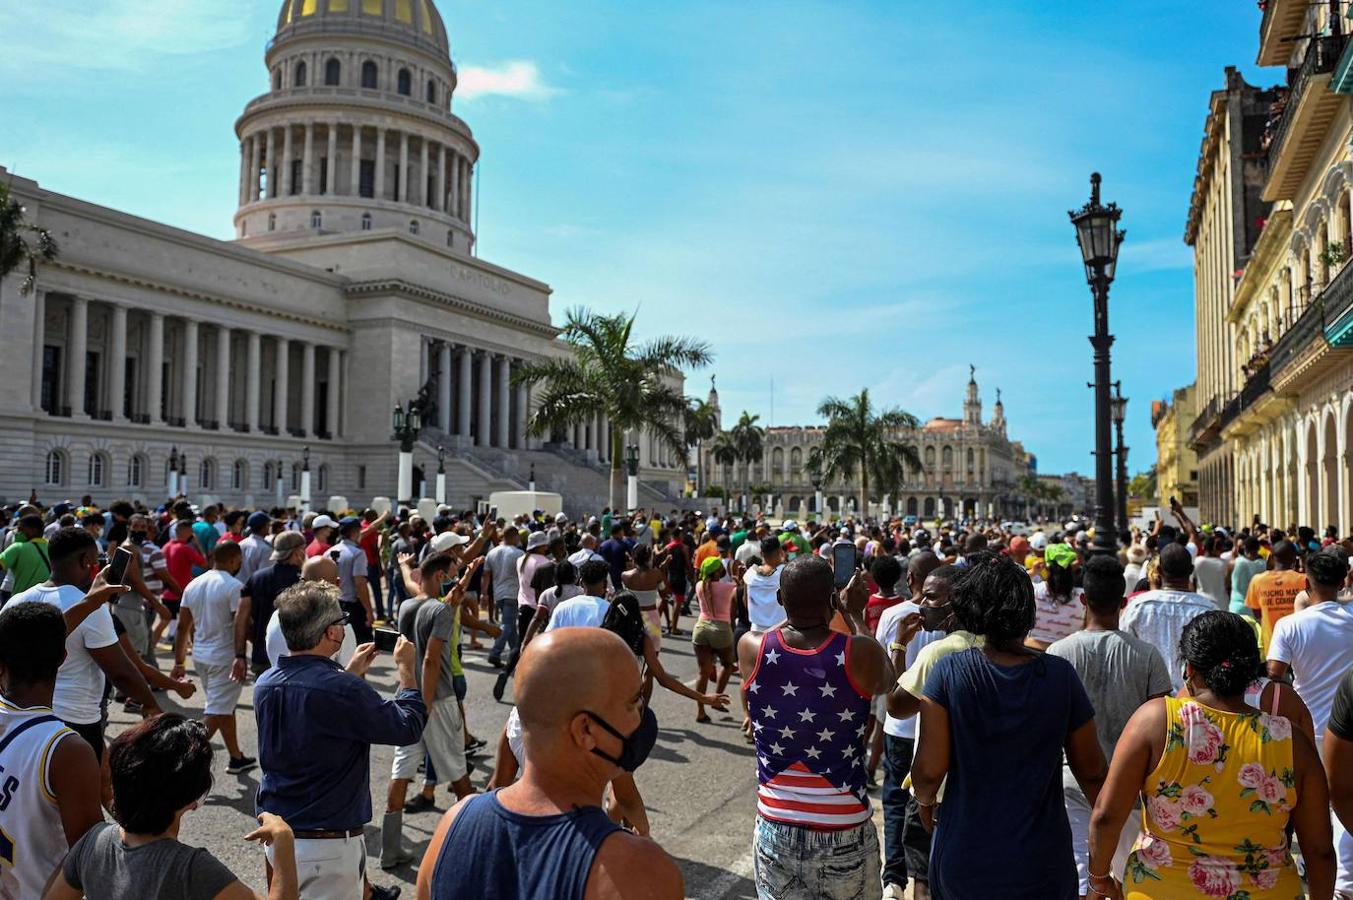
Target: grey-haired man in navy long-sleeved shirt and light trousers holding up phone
[316,727]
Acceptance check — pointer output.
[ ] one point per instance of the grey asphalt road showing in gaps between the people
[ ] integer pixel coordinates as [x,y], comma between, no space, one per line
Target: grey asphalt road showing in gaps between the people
[699,784]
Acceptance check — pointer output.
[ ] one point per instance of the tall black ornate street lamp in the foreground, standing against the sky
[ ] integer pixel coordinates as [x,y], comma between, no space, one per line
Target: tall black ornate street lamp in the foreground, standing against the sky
[1099,239]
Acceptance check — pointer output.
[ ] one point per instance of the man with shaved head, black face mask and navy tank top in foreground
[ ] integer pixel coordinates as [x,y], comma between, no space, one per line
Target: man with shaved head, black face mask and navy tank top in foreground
[580,696]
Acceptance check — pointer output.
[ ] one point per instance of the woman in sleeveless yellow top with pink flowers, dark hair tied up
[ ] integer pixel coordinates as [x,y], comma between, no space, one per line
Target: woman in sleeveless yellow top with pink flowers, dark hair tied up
[1217,783]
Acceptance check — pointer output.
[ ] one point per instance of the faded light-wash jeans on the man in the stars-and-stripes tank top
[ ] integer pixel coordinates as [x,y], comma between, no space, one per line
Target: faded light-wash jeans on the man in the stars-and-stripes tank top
[792,863]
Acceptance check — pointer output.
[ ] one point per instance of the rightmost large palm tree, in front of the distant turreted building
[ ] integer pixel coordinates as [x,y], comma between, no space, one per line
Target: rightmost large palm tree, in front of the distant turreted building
[860,441]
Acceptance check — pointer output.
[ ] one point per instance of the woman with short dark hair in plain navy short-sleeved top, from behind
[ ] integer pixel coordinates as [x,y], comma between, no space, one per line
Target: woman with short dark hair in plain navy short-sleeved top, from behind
[995,722]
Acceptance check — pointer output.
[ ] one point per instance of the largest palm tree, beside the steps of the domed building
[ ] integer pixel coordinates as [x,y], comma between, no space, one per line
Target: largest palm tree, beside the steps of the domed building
[608,376]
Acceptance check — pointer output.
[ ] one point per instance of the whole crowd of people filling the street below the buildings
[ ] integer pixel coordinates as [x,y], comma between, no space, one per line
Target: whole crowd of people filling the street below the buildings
[1172,721]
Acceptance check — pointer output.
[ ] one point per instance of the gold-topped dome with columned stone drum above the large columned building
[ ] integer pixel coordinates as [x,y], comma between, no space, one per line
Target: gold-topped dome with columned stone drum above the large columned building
[357,132]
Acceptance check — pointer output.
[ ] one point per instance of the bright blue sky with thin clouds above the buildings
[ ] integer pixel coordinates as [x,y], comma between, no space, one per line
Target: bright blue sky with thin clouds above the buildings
[835,196]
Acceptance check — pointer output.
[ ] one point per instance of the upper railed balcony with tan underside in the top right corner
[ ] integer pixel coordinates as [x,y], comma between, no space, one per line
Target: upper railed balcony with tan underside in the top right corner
[1294,139]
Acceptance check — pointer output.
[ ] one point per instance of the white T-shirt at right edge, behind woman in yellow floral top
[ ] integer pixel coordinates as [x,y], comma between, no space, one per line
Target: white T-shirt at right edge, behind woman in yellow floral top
[1318,645]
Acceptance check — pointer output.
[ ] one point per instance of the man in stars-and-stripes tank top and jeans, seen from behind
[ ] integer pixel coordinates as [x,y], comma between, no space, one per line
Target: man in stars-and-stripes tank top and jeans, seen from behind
[808,696]
